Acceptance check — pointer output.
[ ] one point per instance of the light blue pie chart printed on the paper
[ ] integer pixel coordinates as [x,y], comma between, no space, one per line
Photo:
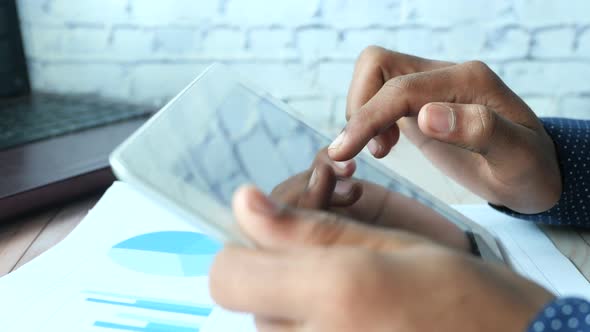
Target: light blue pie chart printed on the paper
[170,253]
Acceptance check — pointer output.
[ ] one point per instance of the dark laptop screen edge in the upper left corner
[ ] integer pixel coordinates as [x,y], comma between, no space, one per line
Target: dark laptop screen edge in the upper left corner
[13,67]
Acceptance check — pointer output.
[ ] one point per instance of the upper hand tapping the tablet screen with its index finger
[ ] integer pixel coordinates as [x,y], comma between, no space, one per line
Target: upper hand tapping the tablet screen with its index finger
[462,117]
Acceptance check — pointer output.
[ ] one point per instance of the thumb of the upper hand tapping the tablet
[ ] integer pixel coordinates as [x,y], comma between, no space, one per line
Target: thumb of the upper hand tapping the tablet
[473,127]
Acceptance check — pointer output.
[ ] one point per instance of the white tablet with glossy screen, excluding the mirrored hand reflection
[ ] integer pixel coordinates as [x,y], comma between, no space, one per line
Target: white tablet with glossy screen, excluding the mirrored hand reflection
[221,132]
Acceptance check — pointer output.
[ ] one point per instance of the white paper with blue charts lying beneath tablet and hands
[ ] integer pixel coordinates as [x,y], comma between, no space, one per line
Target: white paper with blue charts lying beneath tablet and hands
[131,265]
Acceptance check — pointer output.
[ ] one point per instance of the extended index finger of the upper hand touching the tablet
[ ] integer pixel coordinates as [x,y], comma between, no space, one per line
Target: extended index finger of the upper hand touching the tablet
[404,96]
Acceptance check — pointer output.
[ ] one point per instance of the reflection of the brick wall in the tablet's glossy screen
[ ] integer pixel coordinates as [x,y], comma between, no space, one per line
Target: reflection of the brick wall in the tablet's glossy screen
[251,140]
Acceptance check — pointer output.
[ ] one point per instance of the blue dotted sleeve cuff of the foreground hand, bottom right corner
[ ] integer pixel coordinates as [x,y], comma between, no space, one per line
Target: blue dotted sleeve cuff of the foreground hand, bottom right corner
[566,314]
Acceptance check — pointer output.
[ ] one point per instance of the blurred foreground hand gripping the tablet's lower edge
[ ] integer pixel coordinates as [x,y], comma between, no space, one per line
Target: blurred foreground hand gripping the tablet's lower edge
[316,271]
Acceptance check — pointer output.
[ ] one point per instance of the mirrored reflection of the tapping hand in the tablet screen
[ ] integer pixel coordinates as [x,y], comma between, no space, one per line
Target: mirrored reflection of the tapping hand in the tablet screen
[329,186]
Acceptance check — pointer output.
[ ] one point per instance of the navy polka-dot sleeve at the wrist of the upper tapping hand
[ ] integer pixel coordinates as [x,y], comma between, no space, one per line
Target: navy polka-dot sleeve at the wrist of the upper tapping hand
[572,144]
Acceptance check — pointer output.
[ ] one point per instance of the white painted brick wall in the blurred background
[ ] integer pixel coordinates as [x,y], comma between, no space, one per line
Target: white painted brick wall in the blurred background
[303,50]
